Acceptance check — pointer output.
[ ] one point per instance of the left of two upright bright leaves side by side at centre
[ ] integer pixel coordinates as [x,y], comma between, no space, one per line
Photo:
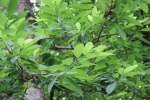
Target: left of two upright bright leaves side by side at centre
[78,49]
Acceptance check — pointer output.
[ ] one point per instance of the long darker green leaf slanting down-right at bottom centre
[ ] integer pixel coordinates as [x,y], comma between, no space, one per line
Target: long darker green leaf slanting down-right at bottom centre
[74,85]
